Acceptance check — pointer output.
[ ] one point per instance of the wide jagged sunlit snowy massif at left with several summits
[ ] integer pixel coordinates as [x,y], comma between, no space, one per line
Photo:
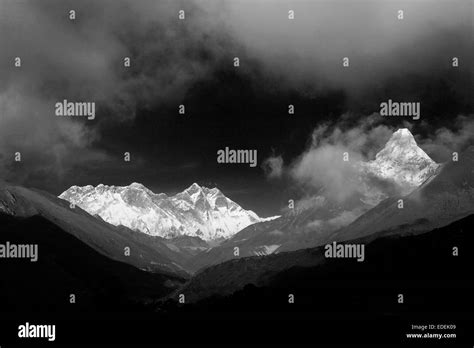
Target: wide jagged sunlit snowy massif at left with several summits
[197,211]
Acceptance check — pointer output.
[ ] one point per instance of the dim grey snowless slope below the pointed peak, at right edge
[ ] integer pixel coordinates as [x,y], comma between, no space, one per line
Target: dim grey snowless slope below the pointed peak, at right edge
[446,197]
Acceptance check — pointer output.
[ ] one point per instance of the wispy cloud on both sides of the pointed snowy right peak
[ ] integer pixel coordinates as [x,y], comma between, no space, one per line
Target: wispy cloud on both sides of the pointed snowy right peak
[321,168]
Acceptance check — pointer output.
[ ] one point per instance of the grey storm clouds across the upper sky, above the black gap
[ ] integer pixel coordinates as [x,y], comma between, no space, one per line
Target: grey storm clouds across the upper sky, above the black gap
[82,59]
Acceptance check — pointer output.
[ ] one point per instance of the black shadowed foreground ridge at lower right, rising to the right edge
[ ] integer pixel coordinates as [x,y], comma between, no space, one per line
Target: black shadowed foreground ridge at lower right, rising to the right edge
[422,266]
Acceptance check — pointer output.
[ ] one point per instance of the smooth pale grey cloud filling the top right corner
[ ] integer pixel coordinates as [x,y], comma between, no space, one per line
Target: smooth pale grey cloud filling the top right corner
[309,50]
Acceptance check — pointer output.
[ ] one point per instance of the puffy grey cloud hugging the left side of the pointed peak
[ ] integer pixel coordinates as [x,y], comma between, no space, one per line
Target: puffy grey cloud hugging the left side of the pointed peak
[322,169]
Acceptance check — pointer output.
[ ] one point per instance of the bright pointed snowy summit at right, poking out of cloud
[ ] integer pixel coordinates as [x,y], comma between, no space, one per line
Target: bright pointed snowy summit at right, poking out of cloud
[402,161]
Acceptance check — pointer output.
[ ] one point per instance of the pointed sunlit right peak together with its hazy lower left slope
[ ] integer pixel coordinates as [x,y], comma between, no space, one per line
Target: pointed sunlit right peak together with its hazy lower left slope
[398,169]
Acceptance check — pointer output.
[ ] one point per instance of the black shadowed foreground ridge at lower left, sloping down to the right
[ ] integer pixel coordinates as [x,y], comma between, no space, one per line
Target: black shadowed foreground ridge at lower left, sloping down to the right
[66,266]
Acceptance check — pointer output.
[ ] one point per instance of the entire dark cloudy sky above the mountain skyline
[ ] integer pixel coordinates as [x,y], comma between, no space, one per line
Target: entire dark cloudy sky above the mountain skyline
[191,62]
